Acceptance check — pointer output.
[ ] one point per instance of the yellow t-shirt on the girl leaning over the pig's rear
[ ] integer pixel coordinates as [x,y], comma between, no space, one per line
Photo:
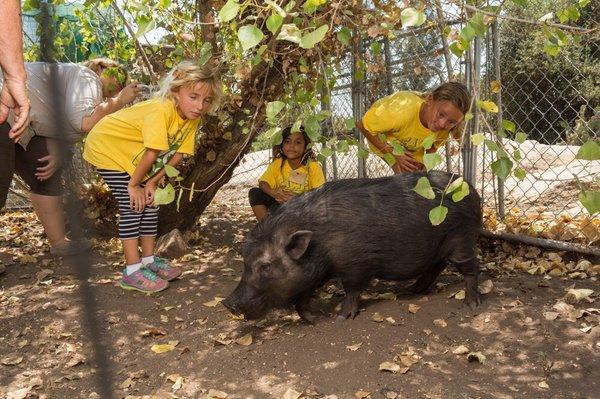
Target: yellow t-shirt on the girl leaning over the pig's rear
[397,117]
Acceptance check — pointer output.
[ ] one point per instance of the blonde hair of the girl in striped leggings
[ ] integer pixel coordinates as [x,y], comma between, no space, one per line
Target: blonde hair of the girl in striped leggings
[188,73]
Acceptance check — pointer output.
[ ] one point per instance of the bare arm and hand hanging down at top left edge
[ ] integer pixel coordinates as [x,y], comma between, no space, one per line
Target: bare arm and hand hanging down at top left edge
[14,88]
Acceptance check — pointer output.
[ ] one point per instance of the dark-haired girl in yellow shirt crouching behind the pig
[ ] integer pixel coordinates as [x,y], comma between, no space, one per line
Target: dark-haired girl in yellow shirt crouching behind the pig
[292,172]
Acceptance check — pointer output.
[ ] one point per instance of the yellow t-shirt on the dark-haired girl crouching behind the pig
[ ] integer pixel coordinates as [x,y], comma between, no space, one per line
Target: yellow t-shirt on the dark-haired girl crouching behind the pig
[305,178]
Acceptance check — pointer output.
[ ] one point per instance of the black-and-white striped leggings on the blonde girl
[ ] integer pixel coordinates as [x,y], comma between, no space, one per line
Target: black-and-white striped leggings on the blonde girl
[131,224]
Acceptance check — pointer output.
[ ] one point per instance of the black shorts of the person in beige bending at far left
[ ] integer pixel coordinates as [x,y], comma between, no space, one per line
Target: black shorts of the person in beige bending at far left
[25,164]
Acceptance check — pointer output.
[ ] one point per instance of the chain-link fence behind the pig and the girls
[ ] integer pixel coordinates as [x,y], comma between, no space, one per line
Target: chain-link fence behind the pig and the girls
[555,101]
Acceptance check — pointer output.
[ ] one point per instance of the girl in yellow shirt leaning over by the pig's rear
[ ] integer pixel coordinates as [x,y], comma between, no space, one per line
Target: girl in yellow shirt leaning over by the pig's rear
[408,118]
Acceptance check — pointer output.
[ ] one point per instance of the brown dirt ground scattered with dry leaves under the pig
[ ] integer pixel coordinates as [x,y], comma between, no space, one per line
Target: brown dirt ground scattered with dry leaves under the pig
[525,341]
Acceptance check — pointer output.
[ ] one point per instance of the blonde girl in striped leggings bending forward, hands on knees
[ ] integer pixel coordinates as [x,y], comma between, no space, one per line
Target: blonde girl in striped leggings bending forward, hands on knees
[125,146]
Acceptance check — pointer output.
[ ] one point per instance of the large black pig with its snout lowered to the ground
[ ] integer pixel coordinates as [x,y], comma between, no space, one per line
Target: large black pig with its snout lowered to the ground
[356,230]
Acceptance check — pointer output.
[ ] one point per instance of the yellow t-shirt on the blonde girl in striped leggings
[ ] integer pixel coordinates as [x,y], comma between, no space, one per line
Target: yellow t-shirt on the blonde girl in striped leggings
[118,140]
